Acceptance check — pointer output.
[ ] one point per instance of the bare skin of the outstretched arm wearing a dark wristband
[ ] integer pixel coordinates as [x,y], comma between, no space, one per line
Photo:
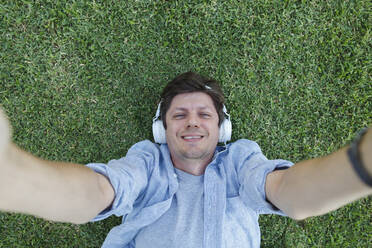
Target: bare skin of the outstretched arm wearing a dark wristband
[318,186]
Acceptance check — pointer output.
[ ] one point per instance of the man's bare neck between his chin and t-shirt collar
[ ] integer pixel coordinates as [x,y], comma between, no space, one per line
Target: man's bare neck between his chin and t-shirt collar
[194,167]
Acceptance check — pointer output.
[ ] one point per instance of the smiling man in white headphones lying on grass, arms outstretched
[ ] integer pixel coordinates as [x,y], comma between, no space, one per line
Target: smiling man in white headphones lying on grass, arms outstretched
[188,192]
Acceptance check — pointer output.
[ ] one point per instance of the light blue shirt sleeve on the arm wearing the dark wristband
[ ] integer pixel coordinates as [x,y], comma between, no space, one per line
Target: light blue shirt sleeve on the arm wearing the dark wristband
[252,175]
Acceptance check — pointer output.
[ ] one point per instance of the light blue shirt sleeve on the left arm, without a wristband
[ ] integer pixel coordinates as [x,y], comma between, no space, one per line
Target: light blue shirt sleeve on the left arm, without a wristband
[128,177]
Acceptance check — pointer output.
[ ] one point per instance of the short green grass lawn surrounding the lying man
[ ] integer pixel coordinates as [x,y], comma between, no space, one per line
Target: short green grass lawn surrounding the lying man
[80,81]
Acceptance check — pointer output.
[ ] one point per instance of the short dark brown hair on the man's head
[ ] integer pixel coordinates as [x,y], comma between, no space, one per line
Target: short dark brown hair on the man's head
[192,82]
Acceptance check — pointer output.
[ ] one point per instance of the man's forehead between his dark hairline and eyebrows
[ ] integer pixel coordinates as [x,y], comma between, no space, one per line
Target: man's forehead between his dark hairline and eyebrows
[194,100]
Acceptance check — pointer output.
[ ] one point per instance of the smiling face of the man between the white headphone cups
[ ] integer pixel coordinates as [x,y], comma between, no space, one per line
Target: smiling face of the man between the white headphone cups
[192,127]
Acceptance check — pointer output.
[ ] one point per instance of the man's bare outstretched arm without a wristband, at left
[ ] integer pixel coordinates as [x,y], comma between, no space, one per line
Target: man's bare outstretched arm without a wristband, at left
[54,191]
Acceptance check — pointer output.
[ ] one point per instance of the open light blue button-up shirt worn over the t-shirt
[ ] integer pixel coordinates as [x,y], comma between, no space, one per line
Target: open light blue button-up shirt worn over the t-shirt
[145,184]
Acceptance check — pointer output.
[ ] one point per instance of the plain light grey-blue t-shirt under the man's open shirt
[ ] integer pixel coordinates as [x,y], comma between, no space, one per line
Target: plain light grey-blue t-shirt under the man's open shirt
[182,225]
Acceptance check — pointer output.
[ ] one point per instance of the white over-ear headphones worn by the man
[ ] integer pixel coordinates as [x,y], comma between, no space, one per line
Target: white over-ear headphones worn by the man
[158,129]
